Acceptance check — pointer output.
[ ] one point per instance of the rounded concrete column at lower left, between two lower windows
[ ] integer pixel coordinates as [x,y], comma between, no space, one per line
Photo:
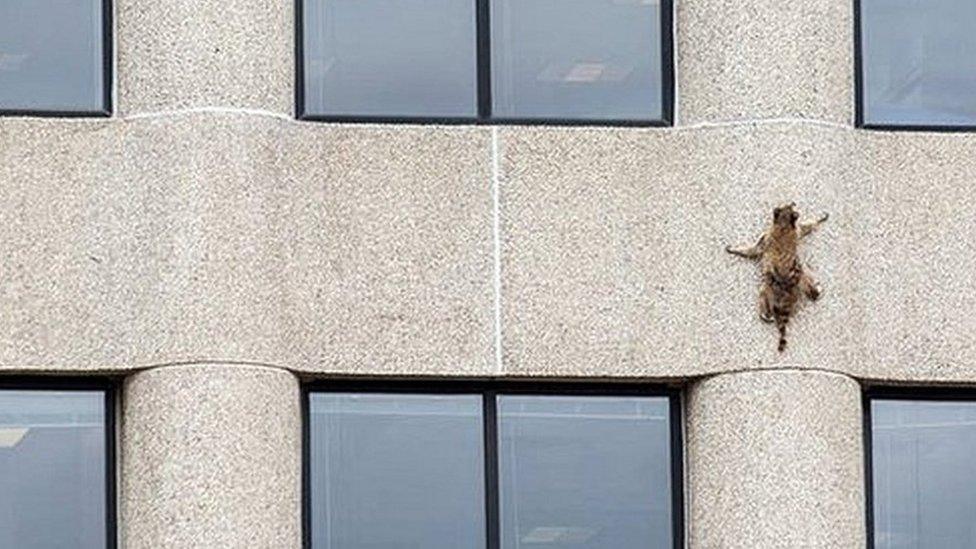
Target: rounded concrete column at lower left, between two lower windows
[211,457]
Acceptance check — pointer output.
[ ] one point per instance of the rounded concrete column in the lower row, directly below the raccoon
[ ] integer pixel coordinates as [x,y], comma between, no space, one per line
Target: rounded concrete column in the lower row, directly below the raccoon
[775,460]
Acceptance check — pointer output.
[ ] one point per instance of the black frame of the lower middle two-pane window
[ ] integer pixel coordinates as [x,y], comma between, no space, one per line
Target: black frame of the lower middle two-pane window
[488,391]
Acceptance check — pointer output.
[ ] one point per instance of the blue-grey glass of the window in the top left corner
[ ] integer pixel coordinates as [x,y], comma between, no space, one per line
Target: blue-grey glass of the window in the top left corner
[51,56]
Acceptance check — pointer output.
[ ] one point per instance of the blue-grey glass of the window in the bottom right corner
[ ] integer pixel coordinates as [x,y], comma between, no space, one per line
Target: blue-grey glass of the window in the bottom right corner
[924,473]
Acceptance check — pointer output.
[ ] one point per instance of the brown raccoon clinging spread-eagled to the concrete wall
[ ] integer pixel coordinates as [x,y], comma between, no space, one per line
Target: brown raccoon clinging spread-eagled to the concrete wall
[784,281]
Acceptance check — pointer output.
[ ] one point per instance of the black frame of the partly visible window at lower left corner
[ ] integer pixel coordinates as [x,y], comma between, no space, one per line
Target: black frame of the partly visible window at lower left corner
[110,387]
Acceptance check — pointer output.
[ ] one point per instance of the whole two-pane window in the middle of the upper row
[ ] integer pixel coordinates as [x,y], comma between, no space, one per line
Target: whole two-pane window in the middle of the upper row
[546,61]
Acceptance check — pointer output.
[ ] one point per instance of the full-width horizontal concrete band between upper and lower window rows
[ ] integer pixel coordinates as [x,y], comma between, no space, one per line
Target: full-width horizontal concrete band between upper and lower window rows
[370,250]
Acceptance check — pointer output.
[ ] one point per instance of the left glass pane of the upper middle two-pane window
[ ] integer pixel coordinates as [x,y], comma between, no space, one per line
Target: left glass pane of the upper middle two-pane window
[411,58]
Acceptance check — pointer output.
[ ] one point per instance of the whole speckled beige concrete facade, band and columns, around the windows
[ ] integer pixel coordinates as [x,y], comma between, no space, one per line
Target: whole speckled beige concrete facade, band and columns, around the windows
[202,225]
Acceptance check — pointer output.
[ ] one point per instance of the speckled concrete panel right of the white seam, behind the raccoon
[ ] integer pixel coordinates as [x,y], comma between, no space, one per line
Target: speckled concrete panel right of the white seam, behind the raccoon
[613,257]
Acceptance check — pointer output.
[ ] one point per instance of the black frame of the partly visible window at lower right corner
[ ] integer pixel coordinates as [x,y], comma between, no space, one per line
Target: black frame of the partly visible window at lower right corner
[907,393]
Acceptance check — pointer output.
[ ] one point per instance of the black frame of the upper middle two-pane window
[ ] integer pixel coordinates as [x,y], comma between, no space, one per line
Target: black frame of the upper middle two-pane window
[484,102]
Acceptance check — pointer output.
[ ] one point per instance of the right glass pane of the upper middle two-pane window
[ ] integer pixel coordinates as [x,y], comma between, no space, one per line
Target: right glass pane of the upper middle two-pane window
[577,59]
